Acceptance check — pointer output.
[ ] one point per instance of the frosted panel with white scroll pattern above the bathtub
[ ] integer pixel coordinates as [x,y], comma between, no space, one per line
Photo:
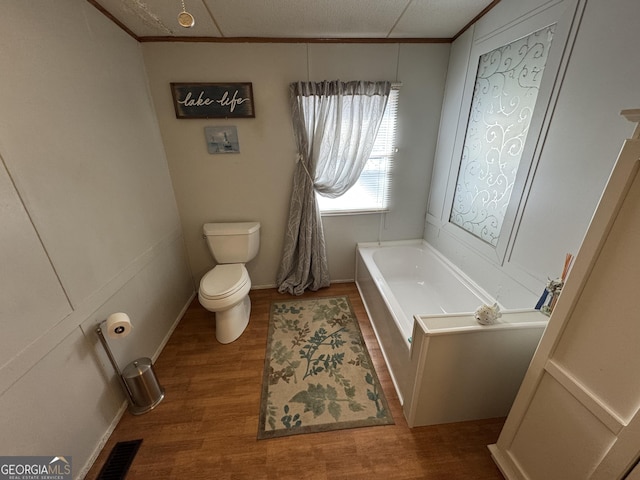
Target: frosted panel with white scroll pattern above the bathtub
[505,93]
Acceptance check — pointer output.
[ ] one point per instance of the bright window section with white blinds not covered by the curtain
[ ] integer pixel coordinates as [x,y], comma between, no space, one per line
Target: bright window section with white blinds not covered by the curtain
[371,193]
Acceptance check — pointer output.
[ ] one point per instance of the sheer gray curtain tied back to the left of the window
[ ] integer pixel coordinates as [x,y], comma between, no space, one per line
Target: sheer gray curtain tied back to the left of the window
[335,126]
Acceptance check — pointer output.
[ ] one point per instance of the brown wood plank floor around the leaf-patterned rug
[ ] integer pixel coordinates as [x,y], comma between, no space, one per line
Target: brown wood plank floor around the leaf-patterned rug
[206,426]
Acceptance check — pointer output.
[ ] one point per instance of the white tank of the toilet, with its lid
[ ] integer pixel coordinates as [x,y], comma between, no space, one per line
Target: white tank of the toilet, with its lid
[233,242]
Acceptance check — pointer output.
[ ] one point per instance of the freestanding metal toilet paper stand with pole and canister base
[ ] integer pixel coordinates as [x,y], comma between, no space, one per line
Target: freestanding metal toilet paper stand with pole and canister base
[138,380]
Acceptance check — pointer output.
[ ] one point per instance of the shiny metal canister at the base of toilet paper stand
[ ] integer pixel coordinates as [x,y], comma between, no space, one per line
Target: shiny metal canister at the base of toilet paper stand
[145,393]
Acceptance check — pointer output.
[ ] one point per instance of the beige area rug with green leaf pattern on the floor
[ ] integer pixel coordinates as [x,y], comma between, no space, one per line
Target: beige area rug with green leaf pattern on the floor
[318,375]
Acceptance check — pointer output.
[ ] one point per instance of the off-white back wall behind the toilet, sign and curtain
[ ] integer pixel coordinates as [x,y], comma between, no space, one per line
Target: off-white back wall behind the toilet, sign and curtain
[256,183]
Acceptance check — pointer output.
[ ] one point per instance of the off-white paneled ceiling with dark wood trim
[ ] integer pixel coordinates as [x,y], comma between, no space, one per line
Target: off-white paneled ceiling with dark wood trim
[387,20]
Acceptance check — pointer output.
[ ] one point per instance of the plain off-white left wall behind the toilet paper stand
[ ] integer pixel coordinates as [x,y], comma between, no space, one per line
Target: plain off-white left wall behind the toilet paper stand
[89,225]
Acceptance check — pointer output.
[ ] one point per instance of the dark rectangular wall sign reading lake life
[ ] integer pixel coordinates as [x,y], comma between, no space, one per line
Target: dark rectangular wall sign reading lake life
[213,100]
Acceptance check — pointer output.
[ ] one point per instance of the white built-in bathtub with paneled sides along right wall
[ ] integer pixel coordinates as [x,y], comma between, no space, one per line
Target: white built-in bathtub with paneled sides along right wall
[444,365]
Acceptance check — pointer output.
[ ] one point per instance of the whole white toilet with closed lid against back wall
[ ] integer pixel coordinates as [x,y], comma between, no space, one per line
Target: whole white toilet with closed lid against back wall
[225,288]
